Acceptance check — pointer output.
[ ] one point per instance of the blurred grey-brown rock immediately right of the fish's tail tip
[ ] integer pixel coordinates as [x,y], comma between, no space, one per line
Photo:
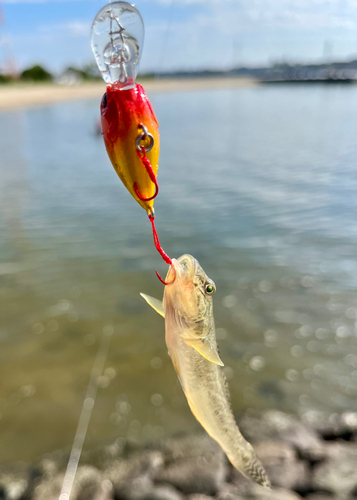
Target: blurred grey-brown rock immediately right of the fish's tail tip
[282,465]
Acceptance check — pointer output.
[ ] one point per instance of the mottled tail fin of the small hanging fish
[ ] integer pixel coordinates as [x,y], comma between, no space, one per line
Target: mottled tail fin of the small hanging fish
[246,462]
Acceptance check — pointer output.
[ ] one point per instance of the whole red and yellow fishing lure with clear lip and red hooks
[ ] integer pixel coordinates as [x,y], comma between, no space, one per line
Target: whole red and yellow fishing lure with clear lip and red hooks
[129,125]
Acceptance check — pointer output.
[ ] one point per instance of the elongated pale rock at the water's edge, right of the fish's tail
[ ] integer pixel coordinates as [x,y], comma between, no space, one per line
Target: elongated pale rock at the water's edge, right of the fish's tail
[275,425]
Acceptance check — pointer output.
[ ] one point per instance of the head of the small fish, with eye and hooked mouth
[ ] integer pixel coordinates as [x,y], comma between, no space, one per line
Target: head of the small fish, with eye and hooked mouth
[190,292]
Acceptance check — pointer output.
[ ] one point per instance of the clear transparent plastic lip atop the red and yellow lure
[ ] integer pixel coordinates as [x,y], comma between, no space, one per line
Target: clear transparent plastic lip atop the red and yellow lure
[117,39]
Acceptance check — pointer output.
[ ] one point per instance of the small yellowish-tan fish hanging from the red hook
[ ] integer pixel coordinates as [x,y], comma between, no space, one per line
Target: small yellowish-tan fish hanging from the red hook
[190,337]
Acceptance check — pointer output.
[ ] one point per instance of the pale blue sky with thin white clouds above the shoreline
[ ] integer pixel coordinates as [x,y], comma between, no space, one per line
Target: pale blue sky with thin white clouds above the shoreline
[186,34]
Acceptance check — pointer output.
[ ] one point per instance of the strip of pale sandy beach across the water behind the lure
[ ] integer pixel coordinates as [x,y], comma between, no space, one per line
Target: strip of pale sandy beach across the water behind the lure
[25,96]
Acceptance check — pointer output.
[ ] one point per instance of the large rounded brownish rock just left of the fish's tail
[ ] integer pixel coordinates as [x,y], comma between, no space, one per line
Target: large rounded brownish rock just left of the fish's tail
[195,464]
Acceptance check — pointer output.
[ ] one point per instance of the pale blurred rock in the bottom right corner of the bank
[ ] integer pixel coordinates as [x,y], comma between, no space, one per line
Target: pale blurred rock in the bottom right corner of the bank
[338,473]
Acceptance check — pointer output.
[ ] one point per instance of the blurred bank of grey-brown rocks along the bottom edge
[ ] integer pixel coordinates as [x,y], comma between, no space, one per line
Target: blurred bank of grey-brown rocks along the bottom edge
[314,459]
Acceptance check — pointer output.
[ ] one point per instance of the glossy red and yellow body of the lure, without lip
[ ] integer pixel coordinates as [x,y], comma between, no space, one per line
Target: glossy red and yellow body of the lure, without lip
[122,113]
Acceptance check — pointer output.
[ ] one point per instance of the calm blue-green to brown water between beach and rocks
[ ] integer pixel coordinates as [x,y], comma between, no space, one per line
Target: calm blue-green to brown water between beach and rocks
[259,184]
